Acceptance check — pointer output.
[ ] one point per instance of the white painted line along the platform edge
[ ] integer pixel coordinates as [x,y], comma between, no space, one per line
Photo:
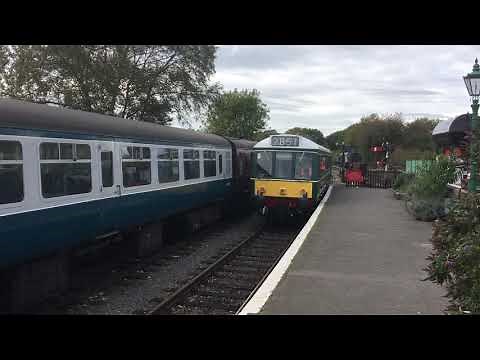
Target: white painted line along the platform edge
[259,299]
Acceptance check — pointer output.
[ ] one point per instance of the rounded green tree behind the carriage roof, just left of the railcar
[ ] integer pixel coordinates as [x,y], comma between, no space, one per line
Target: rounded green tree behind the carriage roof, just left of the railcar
[239,114]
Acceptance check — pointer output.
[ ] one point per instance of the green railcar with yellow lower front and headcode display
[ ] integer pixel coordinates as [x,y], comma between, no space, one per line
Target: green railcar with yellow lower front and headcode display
[290,174]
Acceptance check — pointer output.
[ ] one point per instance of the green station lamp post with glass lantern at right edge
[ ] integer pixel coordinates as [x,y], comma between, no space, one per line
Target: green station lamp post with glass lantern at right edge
[472,81]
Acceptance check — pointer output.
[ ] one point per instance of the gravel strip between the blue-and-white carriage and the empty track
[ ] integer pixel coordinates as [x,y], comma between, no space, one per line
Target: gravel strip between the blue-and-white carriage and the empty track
[114,283]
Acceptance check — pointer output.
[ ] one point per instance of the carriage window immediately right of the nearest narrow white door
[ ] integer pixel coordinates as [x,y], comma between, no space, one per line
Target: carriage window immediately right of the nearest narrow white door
[136,166]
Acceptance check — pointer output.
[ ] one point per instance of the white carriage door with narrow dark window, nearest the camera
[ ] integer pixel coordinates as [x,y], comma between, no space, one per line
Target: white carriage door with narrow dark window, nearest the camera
[109,180]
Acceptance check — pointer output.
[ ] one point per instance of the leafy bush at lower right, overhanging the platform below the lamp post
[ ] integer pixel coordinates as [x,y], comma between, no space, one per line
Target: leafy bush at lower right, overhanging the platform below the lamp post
[455,258]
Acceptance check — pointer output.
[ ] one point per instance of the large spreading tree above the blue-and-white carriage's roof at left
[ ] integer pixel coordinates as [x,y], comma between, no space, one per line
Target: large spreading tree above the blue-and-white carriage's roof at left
[142,82]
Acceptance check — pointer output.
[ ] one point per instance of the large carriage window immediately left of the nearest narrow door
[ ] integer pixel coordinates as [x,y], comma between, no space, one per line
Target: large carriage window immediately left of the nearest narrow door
[65,169]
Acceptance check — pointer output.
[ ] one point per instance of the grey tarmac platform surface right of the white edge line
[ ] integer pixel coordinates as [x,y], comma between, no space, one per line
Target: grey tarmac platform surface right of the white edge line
[364,255]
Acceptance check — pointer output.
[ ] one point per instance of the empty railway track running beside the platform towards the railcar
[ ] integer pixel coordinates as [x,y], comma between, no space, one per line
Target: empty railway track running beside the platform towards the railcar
[226,285]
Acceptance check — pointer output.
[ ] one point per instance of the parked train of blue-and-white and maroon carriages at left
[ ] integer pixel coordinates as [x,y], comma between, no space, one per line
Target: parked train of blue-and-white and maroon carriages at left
[69,176]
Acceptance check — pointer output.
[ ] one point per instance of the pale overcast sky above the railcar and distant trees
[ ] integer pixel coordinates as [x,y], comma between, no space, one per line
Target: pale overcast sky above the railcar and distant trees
[330,87]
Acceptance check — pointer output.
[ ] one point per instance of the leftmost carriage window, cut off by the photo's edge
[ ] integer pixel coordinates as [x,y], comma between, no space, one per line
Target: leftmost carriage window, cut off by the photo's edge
[11,172]
